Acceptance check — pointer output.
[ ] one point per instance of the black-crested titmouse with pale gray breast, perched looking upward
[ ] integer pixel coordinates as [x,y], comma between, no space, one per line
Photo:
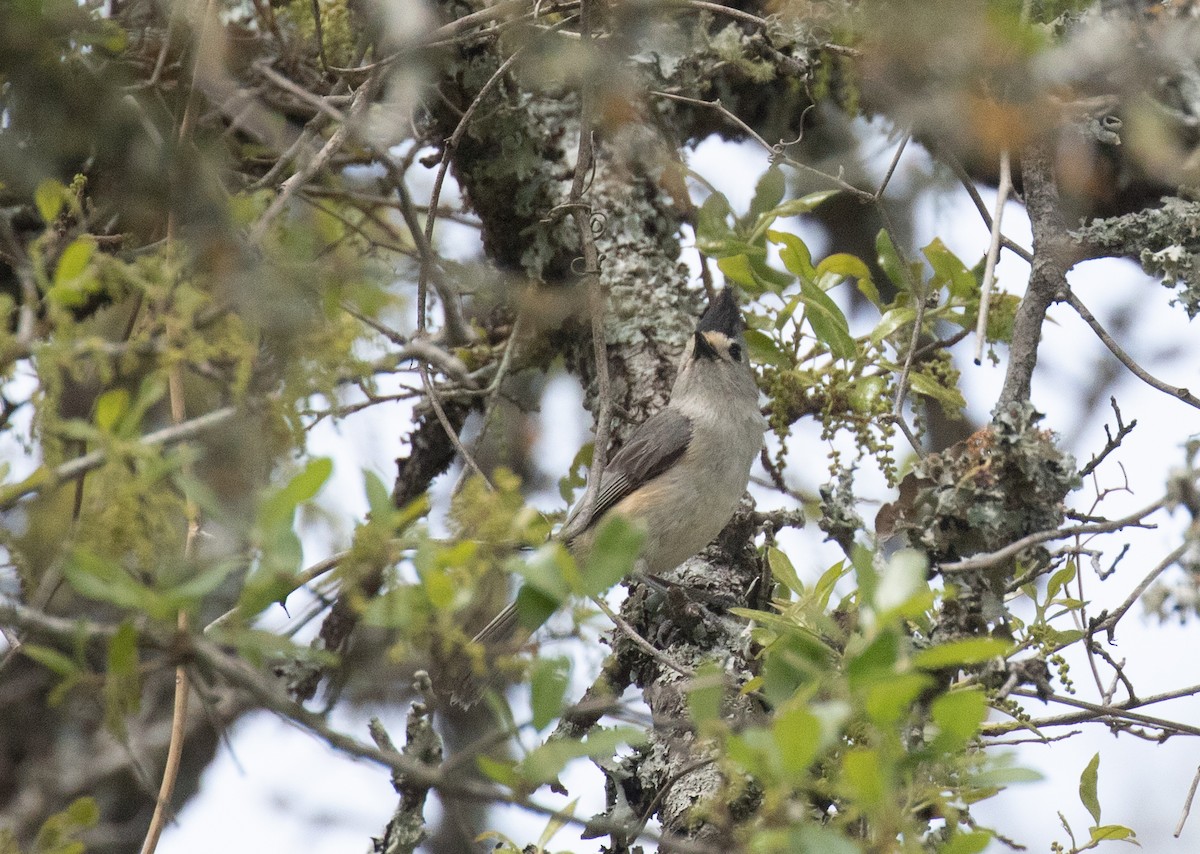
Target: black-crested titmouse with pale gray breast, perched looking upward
[685,470]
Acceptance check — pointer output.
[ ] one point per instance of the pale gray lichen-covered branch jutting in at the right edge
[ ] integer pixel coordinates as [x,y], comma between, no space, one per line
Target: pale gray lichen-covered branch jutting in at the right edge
[1165,240]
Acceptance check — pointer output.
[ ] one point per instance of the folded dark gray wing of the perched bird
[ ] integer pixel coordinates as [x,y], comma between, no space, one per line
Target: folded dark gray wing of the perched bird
[652,449]
